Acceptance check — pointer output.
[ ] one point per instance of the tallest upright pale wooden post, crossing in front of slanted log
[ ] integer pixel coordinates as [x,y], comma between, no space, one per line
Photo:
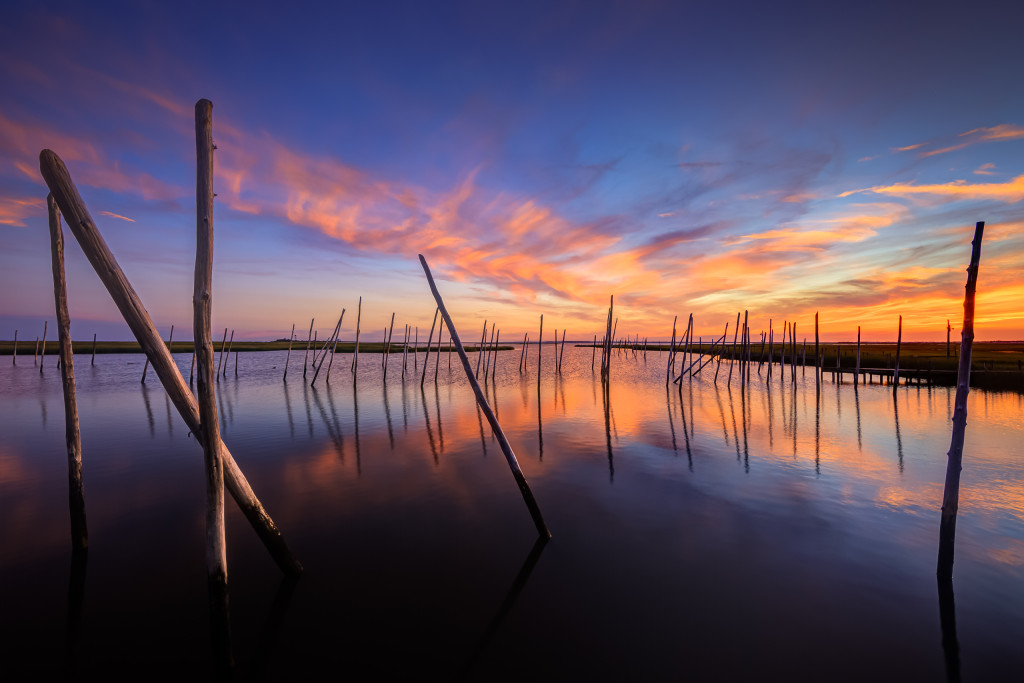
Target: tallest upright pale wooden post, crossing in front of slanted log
[217,549]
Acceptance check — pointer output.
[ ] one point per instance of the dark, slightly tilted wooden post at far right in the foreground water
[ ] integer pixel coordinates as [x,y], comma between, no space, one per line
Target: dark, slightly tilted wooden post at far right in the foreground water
[951,495]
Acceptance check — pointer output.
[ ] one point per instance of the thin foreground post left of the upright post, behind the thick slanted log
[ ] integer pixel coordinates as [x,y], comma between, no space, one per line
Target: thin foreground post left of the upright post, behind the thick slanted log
[73,437]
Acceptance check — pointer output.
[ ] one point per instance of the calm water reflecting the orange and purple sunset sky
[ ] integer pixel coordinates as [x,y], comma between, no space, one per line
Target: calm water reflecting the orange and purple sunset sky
[709,534]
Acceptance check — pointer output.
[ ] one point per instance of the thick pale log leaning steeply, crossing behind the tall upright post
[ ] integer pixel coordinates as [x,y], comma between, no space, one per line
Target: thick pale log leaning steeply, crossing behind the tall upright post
[82,227]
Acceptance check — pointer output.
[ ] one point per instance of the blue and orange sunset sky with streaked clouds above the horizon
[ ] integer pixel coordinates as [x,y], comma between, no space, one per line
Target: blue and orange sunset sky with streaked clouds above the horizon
[704,158]
